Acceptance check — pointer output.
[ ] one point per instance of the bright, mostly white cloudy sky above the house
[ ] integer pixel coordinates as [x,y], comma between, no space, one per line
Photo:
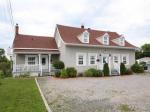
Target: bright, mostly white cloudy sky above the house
[39,17]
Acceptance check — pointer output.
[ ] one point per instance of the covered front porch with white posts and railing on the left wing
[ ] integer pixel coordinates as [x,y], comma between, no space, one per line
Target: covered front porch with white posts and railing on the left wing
[35,64]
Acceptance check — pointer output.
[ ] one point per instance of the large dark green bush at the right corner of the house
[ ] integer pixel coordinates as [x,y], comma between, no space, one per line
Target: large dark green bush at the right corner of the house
[136,68]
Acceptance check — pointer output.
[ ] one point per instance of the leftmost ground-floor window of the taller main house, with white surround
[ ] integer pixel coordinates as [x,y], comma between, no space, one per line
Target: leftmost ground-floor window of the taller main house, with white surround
[80,59]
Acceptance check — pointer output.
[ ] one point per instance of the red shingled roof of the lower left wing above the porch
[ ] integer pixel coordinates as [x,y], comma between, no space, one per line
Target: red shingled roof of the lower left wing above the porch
[30,41]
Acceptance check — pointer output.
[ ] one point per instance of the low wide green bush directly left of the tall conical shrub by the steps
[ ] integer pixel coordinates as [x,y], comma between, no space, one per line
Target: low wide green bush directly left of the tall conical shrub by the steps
[93,73]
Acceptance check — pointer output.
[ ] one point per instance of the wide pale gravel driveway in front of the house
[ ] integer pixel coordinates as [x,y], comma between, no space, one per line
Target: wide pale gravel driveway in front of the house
[105,94]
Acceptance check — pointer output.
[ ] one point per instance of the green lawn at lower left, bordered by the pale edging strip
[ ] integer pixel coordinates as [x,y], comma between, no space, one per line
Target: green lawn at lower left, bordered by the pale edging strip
[20,95]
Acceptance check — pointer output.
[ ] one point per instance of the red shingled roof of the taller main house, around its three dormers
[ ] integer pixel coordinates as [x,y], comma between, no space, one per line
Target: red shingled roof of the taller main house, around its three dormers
[69,35]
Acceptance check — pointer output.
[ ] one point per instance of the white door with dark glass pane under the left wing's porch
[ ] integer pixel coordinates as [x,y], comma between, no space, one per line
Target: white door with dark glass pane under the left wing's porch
[44,62]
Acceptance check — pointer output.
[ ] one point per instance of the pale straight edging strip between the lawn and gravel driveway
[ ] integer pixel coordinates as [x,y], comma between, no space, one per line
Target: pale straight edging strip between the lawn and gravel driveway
[44,100]
